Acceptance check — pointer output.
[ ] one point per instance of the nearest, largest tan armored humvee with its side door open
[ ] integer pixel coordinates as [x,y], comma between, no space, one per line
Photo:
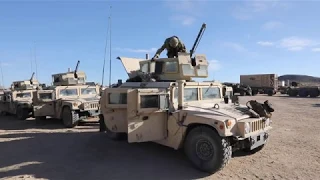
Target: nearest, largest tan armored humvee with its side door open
[161,103]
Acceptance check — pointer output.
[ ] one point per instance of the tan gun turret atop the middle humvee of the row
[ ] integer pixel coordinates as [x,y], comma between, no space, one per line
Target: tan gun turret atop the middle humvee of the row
[69,78]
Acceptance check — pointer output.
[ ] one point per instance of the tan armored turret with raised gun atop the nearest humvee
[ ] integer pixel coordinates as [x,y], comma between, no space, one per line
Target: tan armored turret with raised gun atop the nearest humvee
[183,67]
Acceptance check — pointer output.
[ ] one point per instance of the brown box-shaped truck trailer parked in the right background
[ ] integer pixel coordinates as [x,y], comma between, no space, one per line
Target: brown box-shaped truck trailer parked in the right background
[261,83]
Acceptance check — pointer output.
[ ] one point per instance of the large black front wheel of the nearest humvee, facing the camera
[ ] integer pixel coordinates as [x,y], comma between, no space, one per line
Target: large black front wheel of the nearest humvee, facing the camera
[207,150]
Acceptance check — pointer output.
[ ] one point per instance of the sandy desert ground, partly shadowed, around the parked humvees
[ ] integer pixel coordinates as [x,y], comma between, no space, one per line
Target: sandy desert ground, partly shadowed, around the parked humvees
[49,151]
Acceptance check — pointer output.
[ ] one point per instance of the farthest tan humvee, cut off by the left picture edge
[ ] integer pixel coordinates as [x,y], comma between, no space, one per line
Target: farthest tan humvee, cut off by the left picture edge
[18,100]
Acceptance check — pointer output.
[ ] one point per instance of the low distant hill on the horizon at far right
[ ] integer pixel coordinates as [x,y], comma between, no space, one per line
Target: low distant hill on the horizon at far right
[300,78]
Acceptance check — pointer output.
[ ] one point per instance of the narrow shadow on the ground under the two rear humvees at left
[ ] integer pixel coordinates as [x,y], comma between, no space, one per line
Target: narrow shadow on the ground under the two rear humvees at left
[12,123]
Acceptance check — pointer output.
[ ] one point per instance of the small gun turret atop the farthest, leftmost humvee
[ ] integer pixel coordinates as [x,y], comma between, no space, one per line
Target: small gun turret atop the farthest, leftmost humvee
[30,84]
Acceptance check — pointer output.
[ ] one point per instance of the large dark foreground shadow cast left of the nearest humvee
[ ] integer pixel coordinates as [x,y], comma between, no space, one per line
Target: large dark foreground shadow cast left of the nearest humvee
[90,155]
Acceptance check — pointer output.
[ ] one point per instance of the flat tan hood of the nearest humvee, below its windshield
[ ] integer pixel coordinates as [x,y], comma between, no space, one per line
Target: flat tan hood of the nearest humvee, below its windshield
[225,111]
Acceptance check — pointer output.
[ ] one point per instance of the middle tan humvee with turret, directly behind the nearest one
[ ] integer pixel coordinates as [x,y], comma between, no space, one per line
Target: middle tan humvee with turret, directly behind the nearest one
[69,99]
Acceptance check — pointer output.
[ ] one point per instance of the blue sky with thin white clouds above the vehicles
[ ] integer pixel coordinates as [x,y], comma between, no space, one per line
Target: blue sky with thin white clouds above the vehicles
[242,37]
